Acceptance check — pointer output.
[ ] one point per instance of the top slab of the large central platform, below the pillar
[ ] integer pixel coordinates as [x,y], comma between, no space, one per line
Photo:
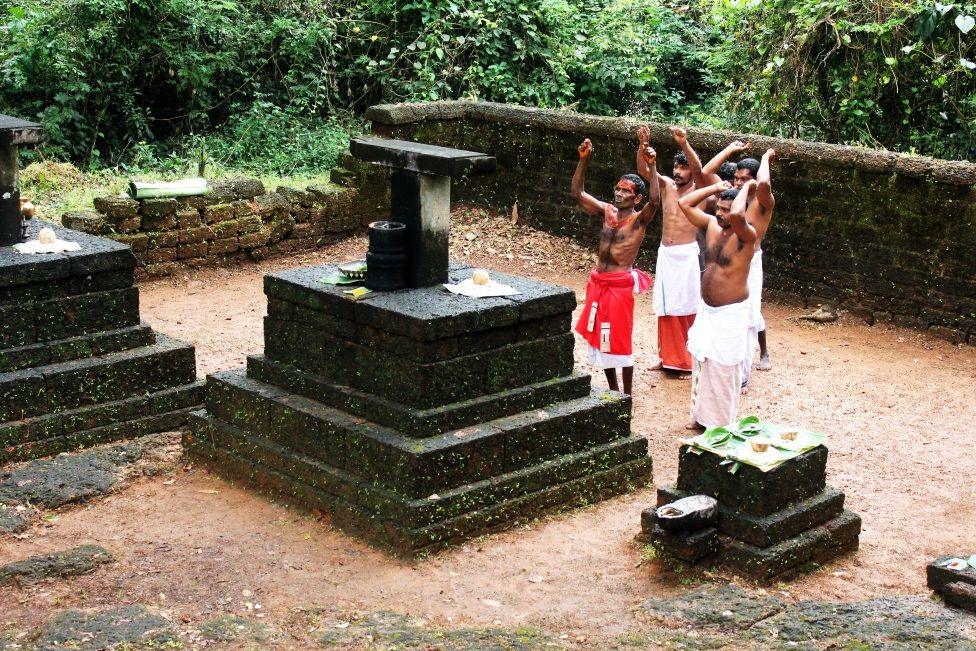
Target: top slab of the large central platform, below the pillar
[423,313]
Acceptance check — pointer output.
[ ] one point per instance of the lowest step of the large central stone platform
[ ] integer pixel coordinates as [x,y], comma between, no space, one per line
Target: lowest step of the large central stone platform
[412,525]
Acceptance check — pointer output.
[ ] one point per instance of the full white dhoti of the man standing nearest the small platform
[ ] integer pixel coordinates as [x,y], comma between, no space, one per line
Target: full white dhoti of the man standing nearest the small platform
[718,342]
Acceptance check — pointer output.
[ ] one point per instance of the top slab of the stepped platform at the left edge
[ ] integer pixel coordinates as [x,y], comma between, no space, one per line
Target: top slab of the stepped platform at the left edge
[97,254]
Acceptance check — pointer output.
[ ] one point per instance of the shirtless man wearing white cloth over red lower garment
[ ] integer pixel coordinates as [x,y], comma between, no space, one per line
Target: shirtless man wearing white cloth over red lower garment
[677,279]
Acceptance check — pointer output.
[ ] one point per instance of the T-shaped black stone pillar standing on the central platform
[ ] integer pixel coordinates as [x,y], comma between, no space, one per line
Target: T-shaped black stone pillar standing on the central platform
[420,197]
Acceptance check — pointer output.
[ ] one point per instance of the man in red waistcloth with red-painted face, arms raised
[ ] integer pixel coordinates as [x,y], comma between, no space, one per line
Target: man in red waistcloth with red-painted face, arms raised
[607,320]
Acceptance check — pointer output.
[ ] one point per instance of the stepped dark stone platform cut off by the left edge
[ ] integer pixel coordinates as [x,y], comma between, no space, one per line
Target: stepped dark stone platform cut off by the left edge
[77,367]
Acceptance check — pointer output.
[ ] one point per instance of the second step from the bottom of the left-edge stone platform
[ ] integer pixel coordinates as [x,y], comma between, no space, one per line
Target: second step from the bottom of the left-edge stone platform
[68,385]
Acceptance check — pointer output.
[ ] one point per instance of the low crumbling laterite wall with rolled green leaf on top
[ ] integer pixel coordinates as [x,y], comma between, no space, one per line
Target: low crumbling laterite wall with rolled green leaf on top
[235,220]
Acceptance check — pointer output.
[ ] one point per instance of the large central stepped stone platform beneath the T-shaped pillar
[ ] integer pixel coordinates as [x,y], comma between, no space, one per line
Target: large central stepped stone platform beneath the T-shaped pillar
[418,418]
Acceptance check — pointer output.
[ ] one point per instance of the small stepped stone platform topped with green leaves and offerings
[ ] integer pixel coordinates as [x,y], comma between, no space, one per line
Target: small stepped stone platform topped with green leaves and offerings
[771,524]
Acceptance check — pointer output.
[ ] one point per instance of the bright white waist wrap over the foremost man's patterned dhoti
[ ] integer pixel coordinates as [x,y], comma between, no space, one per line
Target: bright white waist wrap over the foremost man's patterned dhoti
[720,333]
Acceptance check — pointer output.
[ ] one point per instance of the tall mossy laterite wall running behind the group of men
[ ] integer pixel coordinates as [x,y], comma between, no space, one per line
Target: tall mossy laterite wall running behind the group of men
[887,236]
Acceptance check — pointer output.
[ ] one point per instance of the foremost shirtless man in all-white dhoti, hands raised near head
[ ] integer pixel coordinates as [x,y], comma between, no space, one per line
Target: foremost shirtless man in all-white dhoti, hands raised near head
[717,340]
